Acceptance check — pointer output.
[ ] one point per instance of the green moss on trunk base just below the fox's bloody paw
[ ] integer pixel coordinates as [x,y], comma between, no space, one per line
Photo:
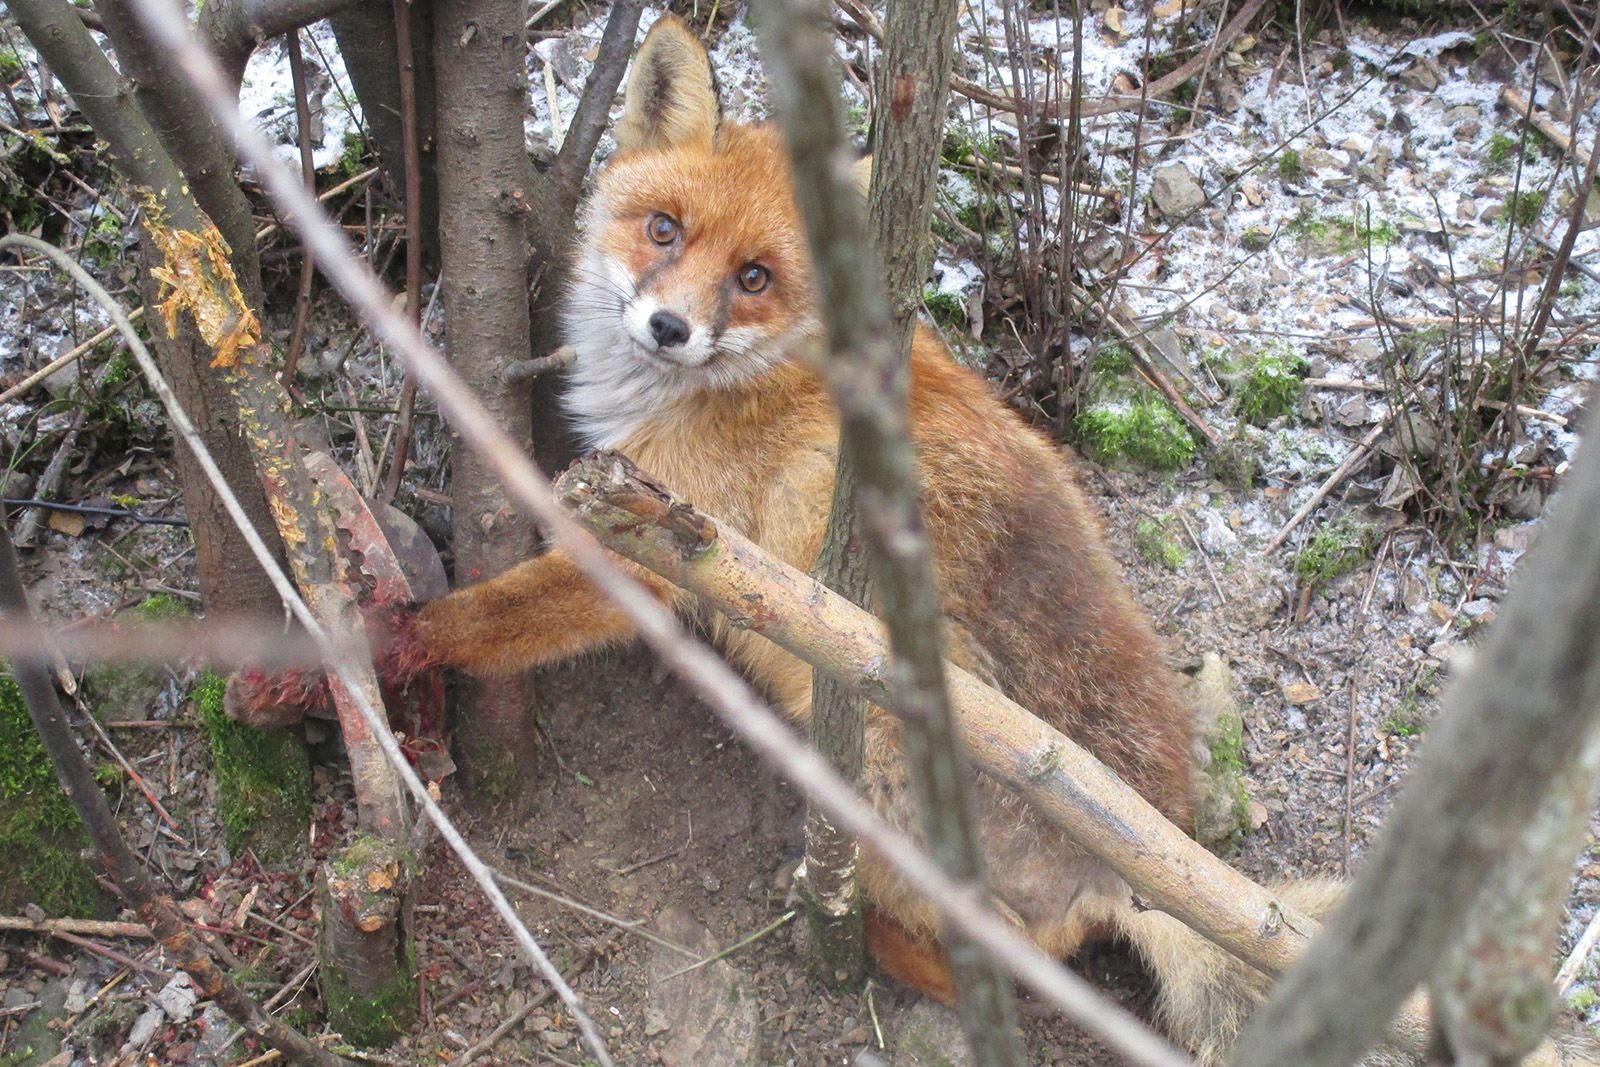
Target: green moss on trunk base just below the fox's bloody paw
[263,780]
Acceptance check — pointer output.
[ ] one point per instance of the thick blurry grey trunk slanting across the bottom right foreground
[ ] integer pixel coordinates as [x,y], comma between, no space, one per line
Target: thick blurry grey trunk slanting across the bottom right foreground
[1513,727]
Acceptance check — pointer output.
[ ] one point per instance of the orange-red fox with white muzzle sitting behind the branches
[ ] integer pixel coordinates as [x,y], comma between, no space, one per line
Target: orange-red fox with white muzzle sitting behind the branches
[692,314]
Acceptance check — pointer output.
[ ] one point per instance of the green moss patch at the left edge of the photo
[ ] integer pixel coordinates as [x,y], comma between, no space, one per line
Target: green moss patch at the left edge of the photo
[41,833]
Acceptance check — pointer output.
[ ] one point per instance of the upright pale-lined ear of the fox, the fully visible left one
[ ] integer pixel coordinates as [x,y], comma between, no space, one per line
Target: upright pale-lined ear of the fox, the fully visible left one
[671,94]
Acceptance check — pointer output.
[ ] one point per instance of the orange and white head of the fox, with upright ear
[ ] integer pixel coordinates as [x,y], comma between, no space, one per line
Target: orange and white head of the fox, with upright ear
[695,273]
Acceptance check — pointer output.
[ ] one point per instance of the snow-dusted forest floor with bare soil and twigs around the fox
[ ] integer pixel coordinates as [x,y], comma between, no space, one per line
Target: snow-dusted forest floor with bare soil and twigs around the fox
[1362,215]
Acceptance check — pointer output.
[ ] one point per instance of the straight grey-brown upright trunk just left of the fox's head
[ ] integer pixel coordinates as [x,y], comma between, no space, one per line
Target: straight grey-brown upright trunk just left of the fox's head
[484,174]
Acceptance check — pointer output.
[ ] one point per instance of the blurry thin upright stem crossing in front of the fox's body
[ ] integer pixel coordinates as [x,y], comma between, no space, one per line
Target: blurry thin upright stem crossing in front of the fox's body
[866,374]
